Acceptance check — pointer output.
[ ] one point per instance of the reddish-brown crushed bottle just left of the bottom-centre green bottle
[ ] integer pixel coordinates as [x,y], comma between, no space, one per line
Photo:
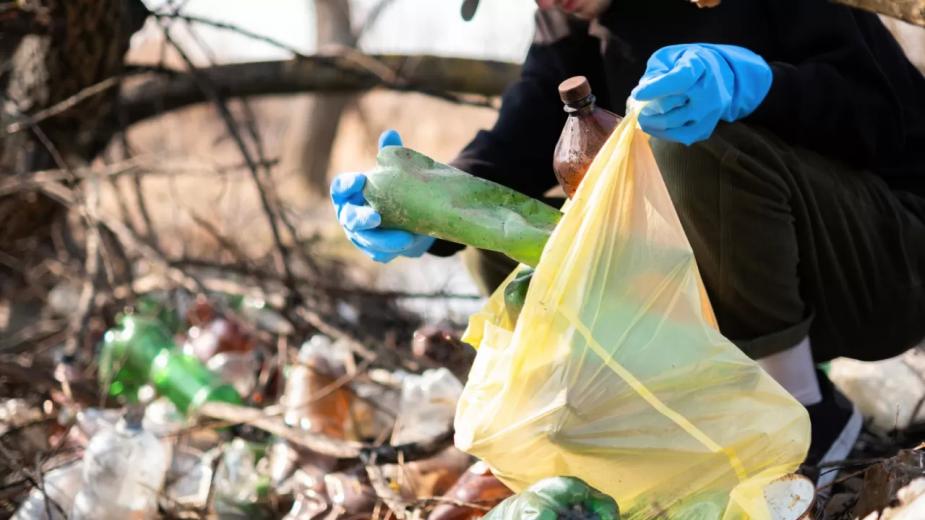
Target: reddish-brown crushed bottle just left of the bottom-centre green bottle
[476,487]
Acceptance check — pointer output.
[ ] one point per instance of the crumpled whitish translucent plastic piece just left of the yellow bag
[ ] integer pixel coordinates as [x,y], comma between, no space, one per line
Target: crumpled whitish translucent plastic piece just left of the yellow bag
[428,404]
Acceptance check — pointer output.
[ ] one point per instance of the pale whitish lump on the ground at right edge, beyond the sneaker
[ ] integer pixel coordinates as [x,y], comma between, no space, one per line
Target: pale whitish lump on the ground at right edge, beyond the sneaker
[889,392]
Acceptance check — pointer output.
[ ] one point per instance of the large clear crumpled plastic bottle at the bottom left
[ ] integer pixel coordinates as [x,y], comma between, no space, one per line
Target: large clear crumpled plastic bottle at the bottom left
[123,472]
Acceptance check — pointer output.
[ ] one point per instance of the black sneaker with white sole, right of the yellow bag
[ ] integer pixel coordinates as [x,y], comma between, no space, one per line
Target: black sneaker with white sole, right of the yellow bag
[836,424]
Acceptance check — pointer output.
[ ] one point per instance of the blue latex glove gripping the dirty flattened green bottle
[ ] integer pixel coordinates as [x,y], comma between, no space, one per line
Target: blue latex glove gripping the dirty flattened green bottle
[361,222]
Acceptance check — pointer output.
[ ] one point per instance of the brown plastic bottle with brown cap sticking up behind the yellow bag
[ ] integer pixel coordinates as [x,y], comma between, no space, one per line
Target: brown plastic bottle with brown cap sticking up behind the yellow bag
[586,130]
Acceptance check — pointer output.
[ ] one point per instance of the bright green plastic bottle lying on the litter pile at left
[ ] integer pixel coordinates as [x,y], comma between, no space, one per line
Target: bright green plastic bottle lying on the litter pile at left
[140,351]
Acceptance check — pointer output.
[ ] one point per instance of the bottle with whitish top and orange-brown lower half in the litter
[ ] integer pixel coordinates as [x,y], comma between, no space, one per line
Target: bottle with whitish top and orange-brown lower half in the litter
[310,400]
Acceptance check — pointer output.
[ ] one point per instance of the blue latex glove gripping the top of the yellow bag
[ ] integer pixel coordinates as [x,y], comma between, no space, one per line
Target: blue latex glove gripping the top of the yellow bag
[690,88]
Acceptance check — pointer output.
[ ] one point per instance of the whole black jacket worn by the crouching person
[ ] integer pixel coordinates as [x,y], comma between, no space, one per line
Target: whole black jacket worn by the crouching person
[842,84]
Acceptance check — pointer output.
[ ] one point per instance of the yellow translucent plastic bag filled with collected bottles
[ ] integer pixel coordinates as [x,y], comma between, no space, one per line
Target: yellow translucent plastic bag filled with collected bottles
[616,373]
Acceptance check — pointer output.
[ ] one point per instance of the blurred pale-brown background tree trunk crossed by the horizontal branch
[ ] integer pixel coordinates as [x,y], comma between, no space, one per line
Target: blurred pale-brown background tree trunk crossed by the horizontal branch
[314,126]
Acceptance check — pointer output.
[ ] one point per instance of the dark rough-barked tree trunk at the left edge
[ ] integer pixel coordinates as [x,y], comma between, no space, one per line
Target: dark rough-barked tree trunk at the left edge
[83,42]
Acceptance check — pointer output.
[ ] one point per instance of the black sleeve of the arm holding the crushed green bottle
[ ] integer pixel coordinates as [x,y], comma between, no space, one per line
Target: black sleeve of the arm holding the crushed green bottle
[517,152]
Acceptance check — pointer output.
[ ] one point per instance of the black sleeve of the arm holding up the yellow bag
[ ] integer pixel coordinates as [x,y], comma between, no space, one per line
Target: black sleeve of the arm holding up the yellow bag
[830,91]
